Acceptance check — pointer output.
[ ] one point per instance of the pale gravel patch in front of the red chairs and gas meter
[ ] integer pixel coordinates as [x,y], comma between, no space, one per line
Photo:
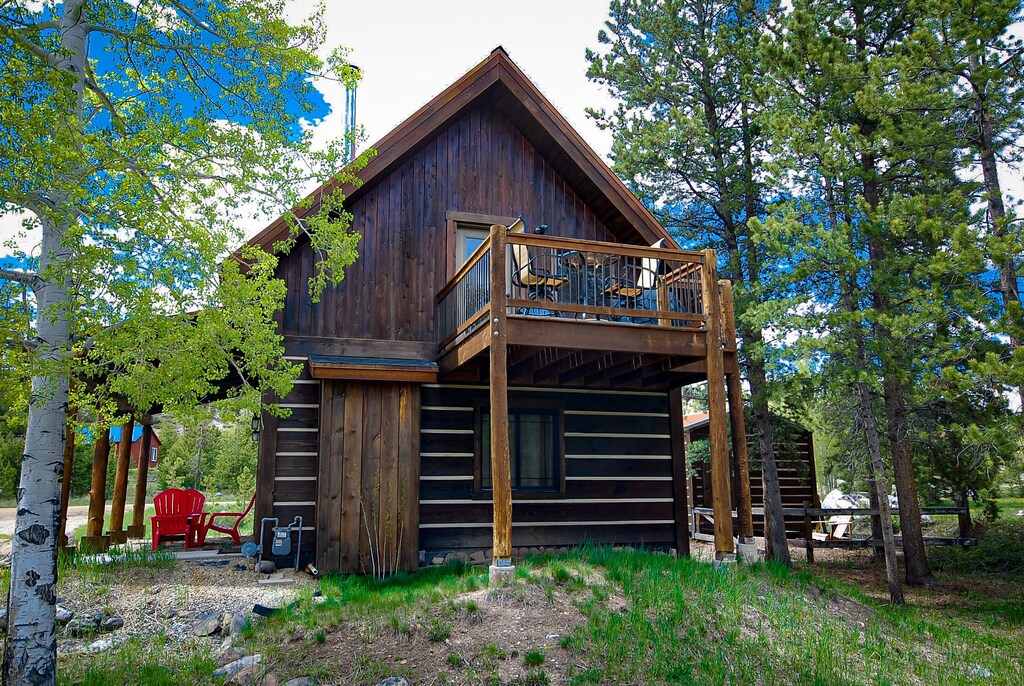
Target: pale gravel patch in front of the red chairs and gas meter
[168,601]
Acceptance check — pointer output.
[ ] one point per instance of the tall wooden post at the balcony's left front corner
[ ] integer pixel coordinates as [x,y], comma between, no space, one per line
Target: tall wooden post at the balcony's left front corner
[501,567]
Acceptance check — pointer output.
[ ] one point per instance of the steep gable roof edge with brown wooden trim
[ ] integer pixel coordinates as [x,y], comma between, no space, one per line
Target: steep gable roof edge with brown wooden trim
[500,80]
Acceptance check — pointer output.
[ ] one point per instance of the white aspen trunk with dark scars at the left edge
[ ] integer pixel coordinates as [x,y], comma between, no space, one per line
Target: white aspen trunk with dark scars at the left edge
[30,653]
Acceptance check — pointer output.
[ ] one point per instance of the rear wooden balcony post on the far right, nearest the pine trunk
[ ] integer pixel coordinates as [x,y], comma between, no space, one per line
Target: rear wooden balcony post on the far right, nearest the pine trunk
[739,424]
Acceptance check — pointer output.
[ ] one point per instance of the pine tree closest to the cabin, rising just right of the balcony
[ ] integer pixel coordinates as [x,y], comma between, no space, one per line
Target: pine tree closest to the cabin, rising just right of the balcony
[688,143]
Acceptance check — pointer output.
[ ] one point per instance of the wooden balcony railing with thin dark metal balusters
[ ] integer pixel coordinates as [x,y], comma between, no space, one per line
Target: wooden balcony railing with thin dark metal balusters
[550,277]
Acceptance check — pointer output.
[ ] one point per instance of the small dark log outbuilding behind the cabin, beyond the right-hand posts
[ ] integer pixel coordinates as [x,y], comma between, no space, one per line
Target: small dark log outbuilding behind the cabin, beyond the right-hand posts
[794,456]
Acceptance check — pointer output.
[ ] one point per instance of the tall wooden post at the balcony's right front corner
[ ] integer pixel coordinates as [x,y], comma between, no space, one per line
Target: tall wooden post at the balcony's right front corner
[721,489]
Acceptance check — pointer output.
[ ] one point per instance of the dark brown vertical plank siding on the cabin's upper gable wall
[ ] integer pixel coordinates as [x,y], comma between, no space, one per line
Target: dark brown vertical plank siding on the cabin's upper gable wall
[480,164]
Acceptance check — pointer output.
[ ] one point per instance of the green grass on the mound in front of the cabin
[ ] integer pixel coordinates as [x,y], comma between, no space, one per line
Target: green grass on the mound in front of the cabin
[681,622]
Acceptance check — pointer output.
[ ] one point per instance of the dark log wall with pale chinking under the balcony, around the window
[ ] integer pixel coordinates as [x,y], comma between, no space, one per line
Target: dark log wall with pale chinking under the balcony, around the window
[610,479]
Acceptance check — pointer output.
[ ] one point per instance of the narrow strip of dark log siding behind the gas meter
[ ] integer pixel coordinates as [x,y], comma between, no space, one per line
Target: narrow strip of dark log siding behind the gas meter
[290,479]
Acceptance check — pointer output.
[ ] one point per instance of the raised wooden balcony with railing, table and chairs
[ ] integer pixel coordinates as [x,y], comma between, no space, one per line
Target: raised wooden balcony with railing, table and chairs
[598,315]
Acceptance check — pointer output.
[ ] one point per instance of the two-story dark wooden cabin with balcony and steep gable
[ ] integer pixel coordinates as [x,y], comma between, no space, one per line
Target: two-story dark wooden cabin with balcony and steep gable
[501,367]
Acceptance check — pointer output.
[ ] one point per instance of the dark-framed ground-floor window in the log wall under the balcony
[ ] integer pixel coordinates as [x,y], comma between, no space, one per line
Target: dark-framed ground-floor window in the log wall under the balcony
[535,442]
